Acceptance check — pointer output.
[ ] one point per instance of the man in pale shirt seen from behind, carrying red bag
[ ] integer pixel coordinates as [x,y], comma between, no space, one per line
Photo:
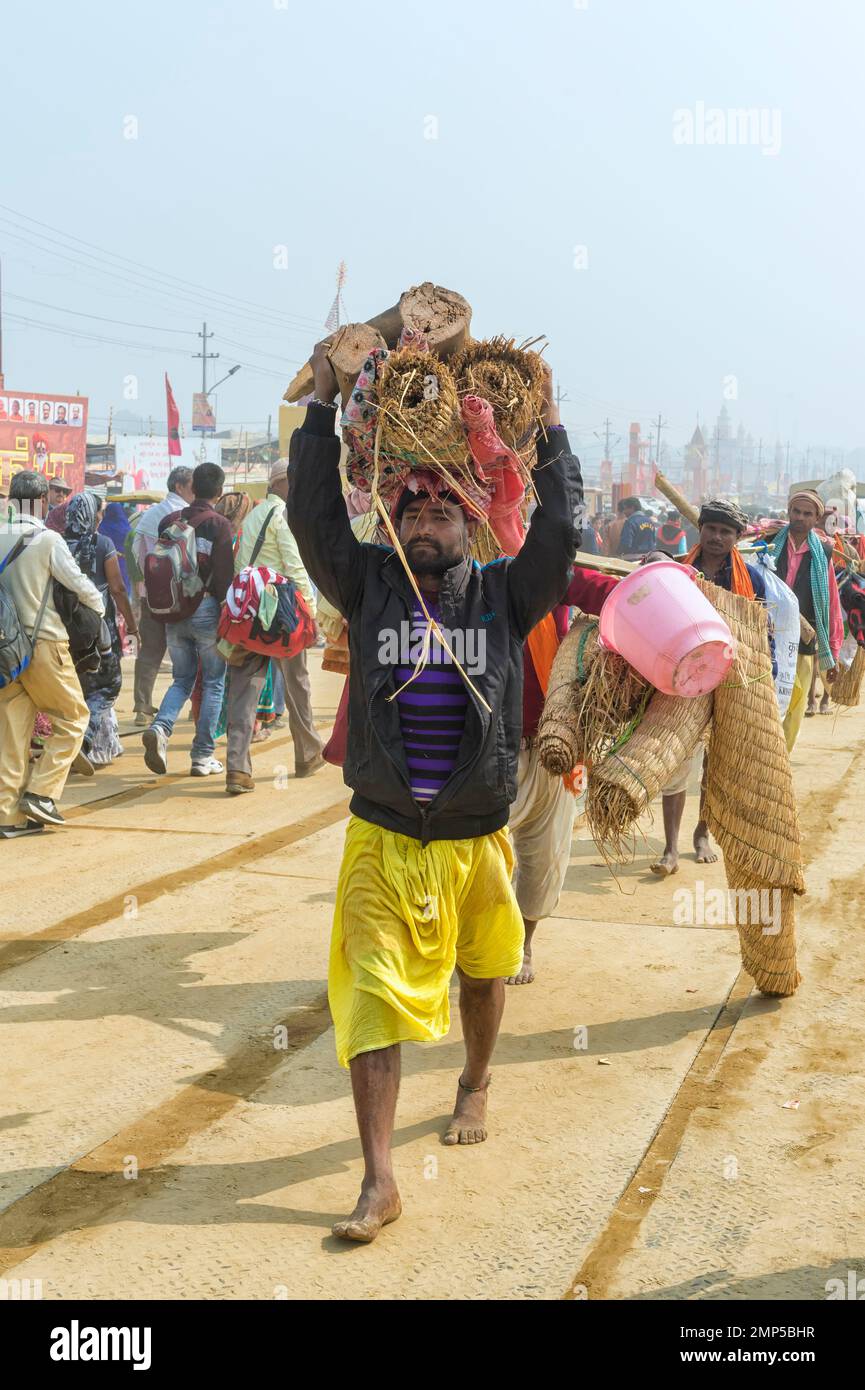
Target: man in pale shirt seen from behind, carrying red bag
[245,682]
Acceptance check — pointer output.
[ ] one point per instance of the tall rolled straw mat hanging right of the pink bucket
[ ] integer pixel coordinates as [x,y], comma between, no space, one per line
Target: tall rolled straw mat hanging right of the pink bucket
[750,806]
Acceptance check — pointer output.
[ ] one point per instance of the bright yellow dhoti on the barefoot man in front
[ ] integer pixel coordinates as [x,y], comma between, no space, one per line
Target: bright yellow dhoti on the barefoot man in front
[407,915]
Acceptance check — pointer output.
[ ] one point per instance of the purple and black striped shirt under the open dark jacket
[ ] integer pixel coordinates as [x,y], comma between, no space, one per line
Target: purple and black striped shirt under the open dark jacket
[432,712]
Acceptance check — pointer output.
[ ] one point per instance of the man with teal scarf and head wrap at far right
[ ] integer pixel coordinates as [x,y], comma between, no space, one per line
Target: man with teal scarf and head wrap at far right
[803,559]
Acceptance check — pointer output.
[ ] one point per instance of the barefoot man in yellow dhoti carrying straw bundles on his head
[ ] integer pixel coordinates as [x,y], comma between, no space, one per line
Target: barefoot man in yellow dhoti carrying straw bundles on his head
[432,758]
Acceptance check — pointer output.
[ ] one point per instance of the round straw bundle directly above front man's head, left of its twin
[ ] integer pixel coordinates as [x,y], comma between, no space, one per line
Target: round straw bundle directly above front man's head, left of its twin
[419,412]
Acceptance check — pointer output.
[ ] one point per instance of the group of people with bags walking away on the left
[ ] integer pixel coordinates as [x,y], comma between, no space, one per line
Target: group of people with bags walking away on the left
[62,551]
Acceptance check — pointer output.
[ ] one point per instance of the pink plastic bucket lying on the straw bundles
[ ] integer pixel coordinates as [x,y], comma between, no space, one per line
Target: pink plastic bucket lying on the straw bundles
[660,622]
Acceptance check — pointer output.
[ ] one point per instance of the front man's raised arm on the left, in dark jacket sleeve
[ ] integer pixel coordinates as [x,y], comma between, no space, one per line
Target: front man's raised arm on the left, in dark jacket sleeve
[316,509]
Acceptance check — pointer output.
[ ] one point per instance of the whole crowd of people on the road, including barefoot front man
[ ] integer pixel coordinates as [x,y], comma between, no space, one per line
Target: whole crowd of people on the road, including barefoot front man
[458,842]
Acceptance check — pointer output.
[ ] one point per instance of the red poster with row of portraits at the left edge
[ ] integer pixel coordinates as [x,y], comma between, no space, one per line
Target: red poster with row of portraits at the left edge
[42,432]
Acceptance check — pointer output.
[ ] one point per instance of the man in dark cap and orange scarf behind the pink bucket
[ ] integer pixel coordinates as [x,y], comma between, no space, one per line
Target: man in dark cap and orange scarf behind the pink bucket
[716,555]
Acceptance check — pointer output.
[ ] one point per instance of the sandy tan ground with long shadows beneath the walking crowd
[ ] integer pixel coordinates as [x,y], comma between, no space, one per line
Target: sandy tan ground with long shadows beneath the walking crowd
[175,1124]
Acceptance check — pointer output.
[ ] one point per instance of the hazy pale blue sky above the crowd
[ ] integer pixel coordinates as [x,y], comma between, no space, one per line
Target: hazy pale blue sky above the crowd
[554,195]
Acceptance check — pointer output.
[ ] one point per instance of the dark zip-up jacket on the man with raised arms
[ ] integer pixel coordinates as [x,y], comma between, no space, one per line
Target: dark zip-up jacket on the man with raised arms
[504,600]
